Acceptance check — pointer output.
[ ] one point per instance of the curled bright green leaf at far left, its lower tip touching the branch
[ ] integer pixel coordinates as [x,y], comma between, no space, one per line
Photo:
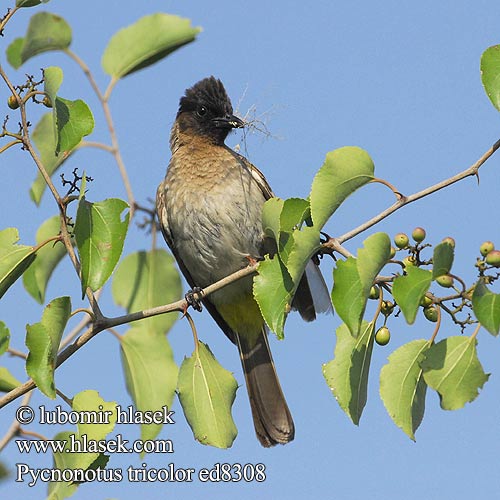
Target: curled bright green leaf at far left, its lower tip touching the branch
[42,340]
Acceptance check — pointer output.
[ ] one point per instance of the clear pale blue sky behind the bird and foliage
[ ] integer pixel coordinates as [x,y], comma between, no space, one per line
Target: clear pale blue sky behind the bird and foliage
[402,82]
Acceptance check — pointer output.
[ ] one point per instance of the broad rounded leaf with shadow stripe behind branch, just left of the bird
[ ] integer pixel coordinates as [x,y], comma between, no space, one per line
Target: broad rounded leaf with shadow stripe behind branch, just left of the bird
[148,279]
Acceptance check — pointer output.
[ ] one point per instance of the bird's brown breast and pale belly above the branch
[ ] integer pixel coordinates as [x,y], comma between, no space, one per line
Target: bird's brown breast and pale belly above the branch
[214,206]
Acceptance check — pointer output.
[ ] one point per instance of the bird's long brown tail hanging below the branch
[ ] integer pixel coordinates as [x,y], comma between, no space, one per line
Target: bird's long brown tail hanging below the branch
[272,419]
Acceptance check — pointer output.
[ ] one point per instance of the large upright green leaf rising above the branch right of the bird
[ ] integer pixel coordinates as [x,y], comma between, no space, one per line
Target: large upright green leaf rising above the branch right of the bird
[344,170]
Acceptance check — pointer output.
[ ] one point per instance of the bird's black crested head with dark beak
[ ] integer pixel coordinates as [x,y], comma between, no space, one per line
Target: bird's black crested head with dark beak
[206,110]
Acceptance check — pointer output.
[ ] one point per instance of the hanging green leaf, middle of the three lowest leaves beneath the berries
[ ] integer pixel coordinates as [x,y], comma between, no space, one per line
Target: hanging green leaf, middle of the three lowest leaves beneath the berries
[402,386]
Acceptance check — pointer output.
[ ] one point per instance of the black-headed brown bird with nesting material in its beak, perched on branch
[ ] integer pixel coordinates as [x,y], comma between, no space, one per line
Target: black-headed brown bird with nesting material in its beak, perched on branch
[209,208]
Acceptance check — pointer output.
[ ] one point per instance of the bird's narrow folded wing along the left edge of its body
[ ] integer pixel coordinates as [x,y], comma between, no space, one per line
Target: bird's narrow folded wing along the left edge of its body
[165,229]
